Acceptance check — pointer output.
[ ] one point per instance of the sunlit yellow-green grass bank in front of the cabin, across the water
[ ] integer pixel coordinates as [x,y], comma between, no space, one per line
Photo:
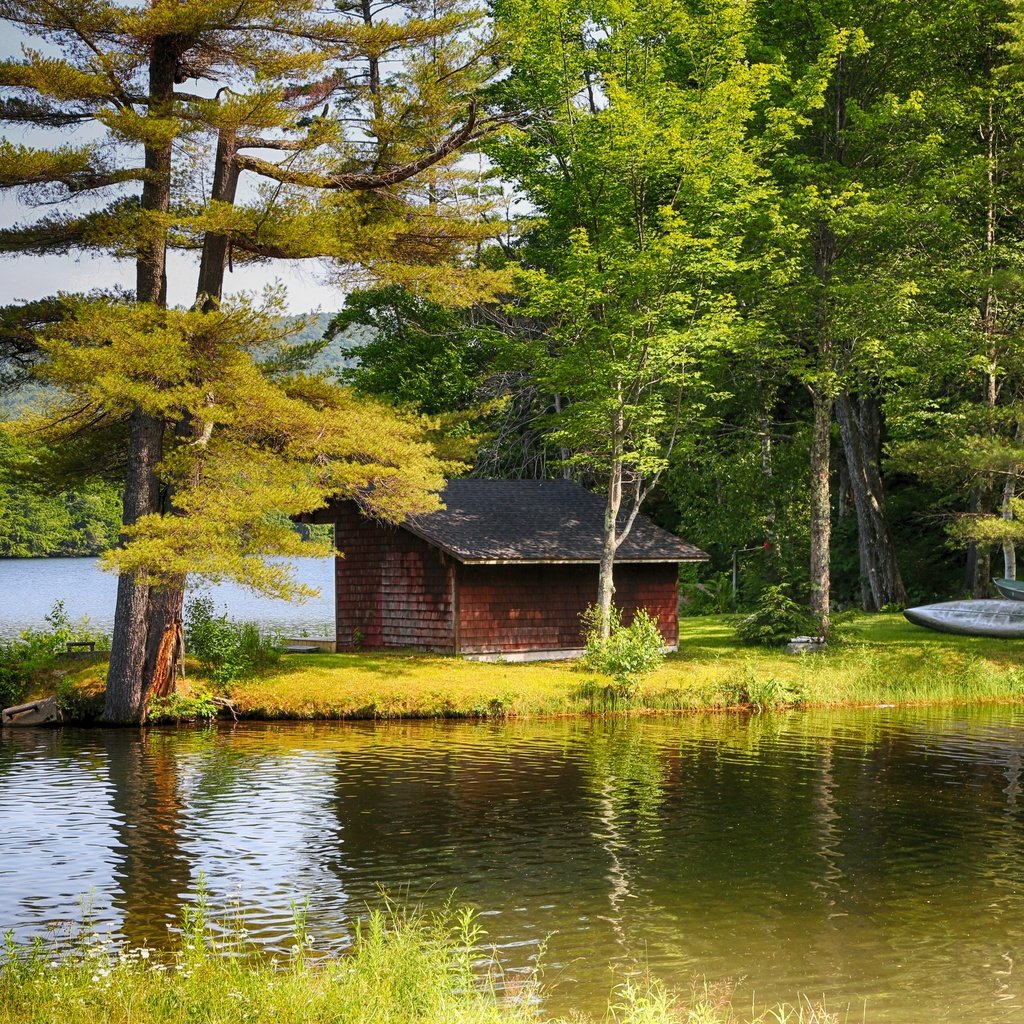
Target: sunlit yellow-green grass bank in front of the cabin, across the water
[883,660]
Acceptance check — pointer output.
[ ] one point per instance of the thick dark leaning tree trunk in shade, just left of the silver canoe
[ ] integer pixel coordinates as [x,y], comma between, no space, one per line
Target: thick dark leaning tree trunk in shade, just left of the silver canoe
[861,429]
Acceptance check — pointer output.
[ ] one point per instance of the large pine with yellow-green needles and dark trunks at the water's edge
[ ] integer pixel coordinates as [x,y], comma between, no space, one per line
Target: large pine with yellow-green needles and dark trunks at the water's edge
[353,122]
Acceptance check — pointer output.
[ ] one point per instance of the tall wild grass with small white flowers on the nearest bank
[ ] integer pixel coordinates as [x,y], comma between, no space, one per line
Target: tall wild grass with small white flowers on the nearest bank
[404,967]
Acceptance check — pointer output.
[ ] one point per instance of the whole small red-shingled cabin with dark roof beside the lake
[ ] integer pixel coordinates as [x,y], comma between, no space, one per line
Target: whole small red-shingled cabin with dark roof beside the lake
[505,570]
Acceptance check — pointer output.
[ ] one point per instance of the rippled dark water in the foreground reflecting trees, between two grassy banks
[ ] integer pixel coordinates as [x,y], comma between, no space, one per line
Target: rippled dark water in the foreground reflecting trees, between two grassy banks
[877,858]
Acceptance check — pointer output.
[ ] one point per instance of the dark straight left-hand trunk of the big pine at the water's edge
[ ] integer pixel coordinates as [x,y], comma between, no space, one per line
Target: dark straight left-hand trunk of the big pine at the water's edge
[126,682]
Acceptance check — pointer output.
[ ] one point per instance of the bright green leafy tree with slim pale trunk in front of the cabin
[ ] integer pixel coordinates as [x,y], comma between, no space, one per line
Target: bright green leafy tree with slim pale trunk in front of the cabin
[641,169]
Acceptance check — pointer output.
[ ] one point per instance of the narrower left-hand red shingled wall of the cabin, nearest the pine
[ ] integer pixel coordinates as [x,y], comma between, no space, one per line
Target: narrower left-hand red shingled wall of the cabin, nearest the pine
[392,589]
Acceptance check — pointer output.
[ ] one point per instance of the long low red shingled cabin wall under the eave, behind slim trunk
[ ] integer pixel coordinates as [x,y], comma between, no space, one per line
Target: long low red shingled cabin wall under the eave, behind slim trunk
[514,609]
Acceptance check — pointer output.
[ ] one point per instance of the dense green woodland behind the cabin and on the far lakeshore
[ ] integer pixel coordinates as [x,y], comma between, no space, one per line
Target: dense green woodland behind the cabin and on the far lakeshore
[815,212]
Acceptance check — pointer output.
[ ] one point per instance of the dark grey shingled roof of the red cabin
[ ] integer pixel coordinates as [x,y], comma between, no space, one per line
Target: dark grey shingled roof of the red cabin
[537,522]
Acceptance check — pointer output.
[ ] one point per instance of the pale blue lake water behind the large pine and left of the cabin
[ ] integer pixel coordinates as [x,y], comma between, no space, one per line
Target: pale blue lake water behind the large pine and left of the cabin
[29,587]
